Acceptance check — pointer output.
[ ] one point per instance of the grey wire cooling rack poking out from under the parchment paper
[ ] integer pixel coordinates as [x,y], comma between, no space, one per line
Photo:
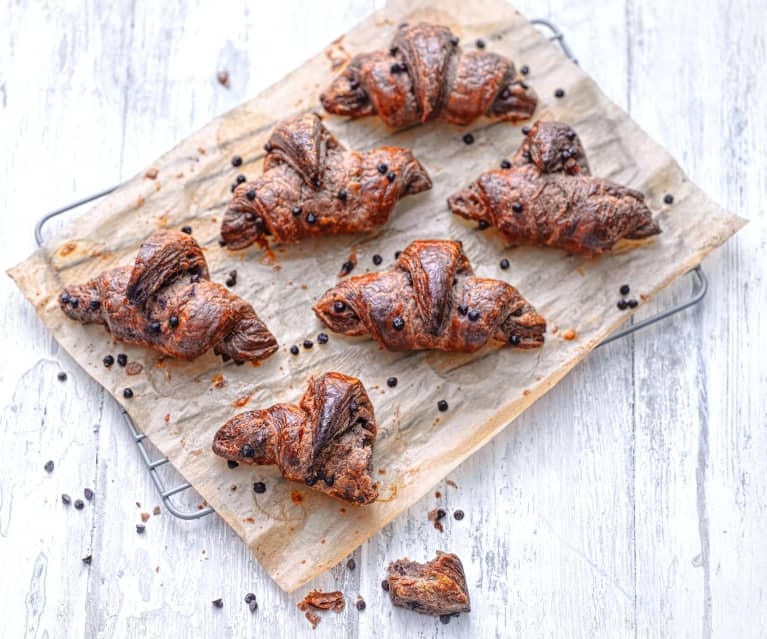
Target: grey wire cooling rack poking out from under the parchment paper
[153,463]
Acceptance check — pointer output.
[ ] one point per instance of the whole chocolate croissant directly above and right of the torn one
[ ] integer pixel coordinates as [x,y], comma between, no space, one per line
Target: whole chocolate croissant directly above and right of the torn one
[431,300]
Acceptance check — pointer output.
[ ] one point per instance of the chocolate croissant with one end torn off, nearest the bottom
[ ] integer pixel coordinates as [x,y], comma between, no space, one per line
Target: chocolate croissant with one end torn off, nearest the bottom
[325,442]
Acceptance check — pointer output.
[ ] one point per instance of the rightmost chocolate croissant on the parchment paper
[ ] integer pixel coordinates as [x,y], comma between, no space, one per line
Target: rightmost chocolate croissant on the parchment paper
[549,198]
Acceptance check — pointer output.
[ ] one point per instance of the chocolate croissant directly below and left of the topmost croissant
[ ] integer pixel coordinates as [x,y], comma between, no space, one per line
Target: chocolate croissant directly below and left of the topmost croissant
[313,186]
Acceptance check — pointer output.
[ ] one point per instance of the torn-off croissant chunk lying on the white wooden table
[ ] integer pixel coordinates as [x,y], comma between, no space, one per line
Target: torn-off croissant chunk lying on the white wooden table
[437,587]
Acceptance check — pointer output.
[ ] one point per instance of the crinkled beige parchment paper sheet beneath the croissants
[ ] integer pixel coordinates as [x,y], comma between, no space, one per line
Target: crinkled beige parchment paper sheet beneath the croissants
[296,533]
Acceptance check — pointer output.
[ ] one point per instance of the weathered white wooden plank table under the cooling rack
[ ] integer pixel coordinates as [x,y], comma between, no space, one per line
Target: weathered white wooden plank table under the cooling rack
[630,501]
